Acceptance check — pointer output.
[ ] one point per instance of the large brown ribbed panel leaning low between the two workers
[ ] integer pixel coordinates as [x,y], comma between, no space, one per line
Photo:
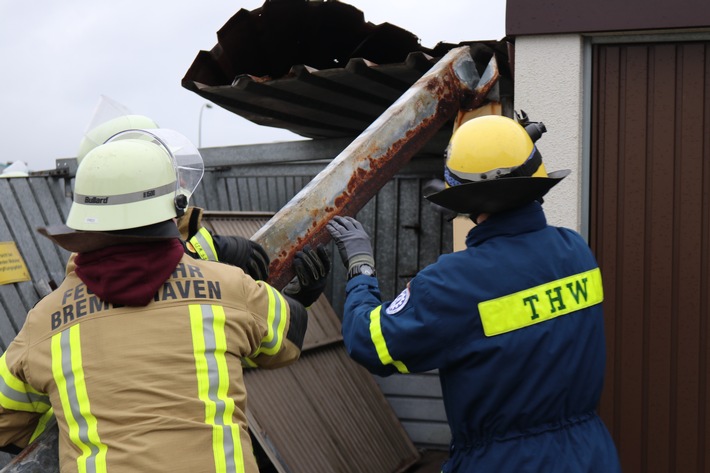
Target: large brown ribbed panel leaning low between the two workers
[327,416]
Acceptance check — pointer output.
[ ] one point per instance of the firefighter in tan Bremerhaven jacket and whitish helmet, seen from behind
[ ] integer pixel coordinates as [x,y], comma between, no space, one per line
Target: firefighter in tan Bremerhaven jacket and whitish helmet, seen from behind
[140,350]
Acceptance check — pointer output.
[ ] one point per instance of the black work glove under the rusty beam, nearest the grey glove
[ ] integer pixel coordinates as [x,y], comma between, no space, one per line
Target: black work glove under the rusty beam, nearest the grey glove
[311,268]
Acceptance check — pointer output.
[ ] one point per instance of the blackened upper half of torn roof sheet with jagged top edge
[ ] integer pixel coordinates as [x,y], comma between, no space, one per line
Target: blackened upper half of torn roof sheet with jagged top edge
[267,41]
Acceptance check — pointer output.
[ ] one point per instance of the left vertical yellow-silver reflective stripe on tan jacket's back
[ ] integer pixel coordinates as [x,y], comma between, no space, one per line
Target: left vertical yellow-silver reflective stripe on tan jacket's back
[68,373]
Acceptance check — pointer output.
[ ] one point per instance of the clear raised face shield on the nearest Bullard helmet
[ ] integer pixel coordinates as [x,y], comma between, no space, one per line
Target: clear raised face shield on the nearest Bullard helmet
[187,161]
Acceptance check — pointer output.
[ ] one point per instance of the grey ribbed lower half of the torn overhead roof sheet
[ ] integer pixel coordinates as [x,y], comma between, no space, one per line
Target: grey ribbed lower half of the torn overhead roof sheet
[318,104]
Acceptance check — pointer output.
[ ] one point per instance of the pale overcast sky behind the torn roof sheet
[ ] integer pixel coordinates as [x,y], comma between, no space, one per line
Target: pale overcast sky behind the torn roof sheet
[59,58]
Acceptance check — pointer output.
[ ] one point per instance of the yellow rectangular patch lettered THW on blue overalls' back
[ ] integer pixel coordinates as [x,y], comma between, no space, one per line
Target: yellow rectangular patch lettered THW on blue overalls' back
[541,303]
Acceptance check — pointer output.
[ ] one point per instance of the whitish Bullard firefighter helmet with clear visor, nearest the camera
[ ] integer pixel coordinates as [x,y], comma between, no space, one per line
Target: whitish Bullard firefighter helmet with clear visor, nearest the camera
[136,178]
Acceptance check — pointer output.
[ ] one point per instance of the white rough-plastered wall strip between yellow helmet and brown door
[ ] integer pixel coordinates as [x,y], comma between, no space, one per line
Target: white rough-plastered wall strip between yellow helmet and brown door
[549,78]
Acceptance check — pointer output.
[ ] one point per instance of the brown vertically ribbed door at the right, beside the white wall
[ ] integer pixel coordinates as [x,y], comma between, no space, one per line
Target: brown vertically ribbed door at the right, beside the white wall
[650,210]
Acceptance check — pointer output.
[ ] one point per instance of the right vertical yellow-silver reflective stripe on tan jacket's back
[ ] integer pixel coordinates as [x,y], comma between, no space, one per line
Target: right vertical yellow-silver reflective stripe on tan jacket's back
[209,343]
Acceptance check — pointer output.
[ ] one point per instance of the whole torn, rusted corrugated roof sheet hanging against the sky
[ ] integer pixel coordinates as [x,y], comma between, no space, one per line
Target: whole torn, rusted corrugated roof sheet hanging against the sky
[317,69]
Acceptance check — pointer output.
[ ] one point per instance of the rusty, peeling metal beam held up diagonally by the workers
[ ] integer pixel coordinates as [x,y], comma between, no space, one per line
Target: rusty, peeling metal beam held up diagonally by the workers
[373,158]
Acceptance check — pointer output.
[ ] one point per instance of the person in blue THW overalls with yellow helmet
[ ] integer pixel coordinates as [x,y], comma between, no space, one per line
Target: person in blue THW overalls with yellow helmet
[513,323]
